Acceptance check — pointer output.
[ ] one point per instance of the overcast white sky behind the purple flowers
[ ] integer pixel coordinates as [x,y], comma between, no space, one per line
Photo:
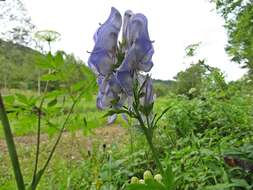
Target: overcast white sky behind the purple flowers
[173,25]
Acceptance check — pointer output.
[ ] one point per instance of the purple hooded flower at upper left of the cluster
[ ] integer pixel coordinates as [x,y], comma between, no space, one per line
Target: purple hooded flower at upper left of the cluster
[103,56]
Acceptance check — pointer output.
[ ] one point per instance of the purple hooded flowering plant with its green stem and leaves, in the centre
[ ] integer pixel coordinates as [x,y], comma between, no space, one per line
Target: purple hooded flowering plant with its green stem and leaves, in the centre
[119,67]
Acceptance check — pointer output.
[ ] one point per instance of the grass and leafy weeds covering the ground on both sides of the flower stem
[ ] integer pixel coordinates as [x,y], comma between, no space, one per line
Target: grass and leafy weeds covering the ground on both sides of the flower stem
[192,138]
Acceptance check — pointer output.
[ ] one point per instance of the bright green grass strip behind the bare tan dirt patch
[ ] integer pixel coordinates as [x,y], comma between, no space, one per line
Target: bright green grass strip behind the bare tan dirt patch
[25,123]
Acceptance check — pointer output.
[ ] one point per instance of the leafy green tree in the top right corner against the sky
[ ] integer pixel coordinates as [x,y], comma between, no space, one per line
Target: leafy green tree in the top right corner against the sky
[238,16]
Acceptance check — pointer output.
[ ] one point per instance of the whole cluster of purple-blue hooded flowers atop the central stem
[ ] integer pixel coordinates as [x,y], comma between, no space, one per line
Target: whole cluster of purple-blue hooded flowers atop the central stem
[118,65]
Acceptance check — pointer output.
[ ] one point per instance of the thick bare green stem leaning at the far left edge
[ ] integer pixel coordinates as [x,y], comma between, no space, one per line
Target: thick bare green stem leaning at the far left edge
[11,146]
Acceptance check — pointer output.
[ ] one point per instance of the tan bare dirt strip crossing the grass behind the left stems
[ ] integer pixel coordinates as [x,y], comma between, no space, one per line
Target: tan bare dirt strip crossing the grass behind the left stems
[73,144]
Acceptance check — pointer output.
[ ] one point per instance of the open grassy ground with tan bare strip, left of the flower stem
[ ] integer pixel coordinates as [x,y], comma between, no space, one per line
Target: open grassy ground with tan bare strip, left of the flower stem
[77,142]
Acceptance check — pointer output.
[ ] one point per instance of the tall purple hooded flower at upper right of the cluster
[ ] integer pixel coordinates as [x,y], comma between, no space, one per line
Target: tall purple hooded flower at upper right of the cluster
[139,54]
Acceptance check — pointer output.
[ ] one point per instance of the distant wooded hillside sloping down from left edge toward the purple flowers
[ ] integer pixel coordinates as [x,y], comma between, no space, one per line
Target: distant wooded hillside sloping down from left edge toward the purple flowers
[18,67]
